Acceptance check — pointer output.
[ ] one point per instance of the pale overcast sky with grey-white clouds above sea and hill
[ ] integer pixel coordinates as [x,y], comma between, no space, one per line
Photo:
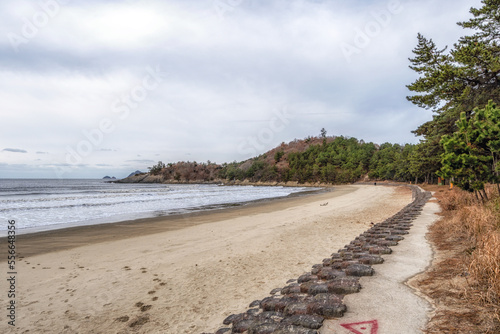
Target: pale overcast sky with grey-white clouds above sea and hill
[94,88]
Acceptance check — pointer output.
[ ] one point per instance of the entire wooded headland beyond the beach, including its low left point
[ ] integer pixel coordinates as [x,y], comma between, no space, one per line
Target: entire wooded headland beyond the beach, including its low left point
[314,159]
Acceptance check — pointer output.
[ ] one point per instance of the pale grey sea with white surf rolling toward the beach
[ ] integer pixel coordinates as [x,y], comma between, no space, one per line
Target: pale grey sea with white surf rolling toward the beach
[51,204]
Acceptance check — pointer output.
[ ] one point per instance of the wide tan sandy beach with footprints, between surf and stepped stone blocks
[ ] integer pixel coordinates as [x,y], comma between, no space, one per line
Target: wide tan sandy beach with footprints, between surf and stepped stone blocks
[184,274]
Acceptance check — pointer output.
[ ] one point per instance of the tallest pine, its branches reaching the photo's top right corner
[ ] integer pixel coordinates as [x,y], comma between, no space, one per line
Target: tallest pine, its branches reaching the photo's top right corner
[455,82]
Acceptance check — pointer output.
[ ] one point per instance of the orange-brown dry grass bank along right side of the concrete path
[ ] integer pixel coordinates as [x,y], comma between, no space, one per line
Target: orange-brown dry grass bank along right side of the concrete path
[464,280]
